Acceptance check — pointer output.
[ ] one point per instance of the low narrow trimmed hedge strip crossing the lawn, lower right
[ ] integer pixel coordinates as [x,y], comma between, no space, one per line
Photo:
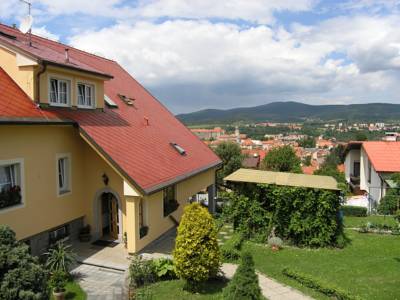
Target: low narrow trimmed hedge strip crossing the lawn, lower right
[318,285]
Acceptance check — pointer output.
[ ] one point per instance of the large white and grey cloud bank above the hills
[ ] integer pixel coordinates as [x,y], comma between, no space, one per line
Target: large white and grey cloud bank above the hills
[221,64]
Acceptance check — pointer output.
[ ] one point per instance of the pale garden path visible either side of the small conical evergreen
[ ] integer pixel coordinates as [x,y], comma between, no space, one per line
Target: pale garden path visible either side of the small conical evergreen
[271,289]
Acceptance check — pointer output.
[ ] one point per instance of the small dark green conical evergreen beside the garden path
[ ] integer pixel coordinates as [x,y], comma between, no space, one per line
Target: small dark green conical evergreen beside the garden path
[244,284]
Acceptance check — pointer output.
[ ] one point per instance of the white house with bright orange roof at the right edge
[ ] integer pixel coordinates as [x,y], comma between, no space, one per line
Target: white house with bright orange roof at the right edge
[369,165]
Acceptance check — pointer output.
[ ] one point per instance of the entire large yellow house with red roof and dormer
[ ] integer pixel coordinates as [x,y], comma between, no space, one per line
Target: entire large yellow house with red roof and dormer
[82,142]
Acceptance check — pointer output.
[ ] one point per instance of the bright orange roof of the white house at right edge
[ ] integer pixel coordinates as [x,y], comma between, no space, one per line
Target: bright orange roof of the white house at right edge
[384,156]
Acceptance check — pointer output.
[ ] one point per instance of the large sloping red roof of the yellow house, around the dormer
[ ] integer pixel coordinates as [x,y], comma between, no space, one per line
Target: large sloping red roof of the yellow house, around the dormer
[142,152]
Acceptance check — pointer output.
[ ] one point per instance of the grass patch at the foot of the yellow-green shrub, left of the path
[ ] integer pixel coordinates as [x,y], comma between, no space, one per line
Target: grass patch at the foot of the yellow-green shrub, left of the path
[174,289]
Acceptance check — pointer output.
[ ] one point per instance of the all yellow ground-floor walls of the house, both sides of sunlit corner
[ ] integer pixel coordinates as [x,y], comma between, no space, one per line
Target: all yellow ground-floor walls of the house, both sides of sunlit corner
[43,209]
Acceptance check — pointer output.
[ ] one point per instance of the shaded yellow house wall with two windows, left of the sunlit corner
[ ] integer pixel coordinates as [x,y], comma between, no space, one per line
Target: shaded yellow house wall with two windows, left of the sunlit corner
[43,209]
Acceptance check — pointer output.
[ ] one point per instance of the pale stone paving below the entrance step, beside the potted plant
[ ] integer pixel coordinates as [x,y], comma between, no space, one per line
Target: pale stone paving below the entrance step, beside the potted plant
[100,283]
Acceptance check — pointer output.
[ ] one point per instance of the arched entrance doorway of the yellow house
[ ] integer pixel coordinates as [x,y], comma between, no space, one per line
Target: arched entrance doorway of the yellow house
[108,217]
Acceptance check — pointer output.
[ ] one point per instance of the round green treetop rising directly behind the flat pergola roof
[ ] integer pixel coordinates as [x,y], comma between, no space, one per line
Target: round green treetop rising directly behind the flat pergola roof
[282,159]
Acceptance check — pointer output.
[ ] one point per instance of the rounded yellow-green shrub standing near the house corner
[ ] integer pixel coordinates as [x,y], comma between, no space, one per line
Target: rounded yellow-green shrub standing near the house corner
[196,254]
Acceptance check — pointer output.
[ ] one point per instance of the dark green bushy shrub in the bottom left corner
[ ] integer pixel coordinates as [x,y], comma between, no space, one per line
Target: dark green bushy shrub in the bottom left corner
[21,275]
